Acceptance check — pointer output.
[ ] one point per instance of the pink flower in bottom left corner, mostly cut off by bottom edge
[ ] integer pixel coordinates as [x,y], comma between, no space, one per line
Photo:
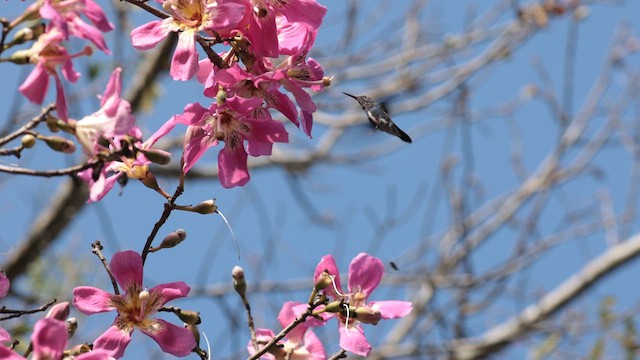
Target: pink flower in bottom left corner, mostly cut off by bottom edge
[49,339]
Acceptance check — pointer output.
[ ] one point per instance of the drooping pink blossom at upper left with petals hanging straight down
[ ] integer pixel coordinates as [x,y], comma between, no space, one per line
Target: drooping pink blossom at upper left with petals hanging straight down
[48,54]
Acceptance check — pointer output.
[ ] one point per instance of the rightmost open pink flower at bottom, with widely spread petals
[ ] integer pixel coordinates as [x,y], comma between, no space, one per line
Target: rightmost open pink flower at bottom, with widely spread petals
[365,273]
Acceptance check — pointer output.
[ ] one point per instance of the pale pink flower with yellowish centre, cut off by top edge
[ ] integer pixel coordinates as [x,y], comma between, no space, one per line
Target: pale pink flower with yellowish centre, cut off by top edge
[188,17]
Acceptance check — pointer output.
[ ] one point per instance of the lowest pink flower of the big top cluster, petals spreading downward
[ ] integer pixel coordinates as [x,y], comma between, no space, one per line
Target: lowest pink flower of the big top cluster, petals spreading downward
[233,122]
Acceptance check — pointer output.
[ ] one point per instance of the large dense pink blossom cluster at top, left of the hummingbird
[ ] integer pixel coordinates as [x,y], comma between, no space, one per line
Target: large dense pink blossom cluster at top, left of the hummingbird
[267,57]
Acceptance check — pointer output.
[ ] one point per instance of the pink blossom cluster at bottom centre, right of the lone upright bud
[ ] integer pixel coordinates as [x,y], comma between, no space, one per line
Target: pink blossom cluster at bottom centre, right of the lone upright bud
[351,309]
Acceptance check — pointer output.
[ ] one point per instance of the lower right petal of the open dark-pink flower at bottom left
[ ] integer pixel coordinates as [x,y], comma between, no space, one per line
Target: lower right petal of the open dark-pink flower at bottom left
[172,339]
